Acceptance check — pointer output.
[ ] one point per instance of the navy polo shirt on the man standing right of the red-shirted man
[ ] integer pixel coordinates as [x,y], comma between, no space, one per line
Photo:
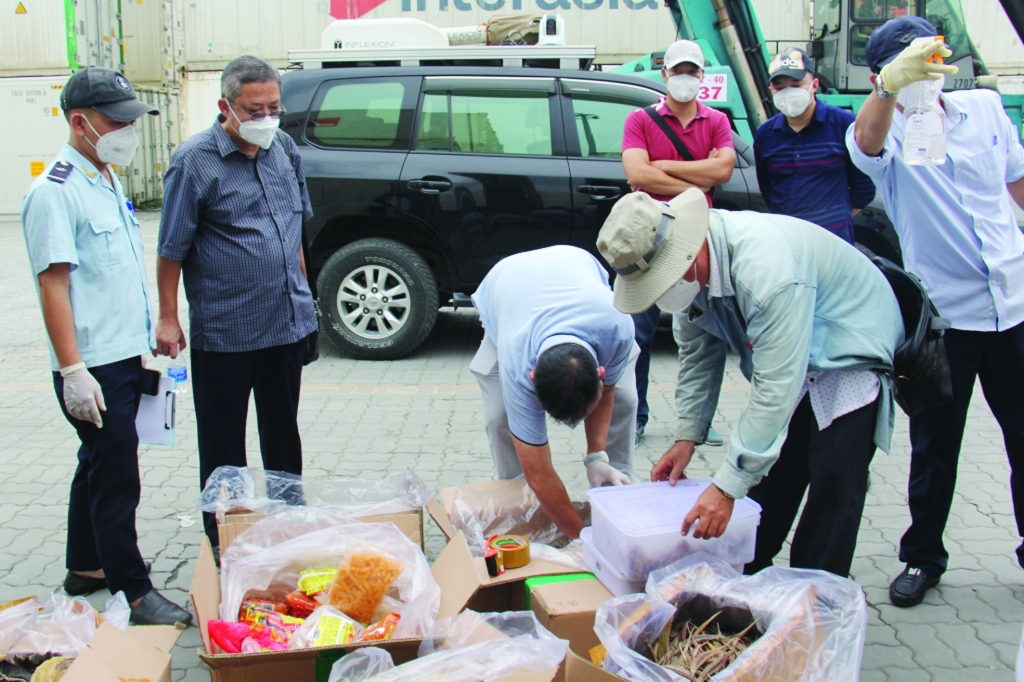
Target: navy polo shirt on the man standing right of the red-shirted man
[809,175]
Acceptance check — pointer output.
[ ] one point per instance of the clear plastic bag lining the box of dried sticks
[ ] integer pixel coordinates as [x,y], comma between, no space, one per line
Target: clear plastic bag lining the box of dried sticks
[813,623]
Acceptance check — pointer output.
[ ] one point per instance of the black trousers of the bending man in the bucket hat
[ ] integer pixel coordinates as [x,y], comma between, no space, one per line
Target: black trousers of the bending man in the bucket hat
[832,466]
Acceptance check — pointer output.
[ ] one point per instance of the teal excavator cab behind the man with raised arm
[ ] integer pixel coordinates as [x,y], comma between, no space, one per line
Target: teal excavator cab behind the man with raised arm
[843,27]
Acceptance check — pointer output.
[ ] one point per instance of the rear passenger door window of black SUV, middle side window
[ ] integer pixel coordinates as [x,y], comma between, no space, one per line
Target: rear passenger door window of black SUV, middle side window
[487,122]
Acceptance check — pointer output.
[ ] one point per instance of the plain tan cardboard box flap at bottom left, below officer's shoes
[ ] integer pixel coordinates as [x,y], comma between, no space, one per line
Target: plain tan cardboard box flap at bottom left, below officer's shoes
[112,656]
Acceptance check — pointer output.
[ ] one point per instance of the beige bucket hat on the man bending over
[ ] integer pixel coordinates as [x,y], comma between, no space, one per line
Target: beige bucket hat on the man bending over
[652,244]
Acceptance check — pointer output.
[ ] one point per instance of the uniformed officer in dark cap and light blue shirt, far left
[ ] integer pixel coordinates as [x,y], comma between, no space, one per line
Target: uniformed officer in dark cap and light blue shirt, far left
[87,254]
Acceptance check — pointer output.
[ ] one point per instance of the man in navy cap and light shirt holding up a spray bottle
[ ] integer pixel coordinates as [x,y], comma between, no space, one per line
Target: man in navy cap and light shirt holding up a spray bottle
[959,234]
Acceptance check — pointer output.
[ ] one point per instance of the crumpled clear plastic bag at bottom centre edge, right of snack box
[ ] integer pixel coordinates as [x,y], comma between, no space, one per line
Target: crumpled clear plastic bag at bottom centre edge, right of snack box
[467,648]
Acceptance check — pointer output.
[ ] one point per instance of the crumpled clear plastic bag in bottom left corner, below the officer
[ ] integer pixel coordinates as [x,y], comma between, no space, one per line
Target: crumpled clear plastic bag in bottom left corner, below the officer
[66,630]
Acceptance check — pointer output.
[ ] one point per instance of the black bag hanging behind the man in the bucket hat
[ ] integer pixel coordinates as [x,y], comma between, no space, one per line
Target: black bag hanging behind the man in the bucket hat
[921,368]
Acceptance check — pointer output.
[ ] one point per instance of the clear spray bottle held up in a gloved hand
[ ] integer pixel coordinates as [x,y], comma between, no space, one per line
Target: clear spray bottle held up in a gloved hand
[925,122]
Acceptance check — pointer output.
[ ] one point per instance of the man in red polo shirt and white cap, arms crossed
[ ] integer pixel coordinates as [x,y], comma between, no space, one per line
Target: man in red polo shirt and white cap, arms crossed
[654,165]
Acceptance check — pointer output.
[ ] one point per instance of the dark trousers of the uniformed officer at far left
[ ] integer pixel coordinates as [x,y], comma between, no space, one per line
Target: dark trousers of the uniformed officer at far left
[106,490]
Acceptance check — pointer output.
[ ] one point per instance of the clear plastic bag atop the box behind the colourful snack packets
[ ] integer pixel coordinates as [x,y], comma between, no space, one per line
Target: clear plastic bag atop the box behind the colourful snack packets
[238,489]
